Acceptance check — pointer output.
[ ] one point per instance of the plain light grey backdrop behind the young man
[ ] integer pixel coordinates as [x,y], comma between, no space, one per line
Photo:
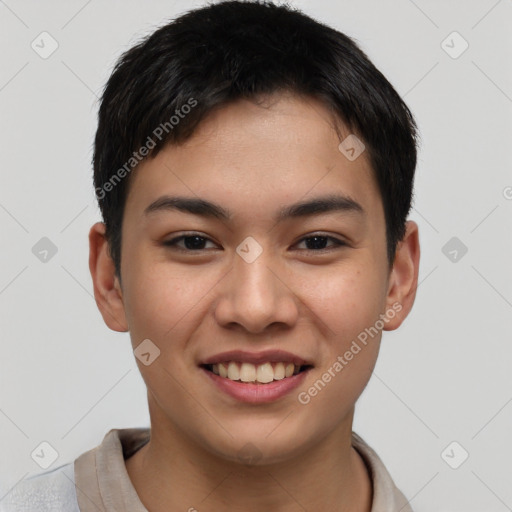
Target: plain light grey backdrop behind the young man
[442,388]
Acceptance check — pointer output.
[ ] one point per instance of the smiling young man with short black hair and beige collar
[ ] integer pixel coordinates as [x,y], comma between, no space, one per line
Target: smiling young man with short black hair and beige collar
[254,171]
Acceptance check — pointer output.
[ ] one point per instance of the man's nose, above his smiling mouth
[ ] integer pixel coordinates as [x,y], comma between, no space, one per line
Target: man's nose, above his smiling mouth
[257,296]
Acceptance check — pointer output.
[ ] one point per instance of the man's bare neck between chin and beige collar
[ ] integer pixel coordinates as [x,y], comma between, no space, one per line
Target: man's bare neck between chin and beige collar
[173,472]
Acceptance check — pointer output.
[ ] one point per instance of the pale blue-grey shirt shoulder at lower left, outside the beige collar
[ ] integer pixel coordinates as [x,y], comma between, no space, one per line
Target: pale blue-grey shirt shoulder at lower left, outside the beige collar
[51,491]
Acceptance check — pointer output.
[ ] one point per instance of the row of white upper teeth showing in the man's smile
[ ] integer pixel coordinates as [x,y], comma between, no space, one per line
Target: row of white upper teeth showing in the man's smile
[248,372]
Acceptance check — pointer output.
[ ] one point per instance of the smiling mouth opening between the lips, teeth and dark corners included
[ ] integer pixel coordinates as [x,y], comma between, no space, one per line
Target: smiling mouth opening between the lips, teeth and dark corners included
[262,373]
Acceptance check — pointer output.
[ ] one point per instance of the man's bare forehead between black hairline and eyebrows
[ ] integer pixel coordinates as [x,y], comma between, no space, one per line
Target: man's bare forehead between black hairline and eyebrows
[257,155]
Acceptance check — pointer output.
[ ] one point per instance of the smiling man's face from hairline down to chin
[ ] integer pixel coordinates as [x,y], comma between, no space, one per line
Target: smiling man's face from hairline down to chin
[251,274]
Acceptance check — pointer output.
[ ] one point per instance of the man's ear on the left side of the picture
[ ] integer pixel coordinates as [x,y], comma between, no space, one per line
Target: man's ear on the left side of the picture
[107,289]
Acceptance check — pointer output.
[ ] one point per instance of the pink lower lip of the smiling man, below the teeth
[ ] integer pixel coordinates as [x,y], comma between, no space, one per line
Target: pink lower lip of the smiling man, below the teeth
[257,393]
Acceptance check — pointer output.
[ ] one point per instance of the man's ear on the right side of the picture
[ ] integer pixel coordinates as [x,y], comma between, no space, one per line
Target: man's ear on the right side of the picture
[403,279]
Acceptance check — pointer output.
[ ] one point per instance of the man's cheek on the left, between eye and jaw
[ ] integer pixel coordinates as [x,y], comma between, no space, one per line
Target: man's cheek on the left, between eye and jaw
[163,305]
